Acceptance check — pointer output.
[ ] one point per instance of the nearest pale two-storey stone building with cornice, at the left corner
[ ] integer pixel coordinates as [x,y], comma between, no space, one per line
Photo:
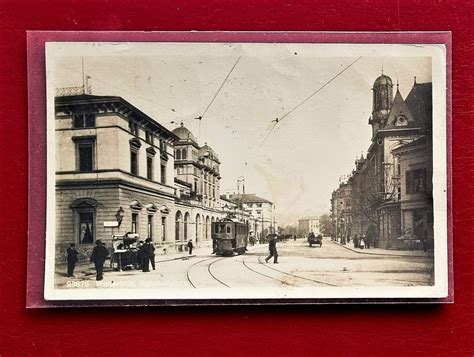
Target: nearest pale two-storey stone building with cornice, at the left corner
[114,164]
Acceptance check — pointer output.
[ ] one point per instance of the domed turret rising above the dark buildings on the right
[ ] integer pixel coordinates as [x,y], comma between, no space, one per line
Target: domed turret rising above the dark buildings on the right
[382,102]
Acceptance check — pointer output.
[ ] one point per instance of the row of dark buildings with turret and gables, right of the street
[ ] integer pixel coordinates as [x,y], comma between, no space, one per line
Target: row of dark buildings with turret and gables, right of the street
[388,195]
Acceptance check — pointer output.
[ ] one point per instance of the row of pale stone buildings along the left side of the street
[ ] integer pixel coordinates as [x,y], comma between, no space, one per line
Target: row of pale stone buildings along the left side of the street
[119,171]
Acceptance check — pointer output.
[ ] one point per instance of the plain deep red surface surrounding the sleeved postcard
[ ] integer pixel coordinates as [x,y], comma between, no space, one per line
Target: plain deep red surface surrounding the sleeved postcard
[319,330]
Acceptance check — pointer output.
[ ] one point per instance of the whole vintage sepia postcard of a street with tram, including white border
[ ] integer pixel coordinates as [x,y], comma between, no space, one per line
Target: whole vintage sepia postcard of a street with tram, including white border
[257,171]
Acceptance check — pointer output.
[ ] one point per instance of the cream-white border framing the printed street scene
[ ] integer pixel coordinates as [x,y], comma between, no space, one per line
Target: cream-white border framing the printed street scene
[440,290]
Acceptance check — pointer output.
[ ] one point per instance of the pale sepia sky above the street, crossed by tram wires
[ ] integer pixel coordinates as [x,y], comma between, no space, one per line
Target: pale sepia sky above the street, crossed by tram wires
[301,160]
